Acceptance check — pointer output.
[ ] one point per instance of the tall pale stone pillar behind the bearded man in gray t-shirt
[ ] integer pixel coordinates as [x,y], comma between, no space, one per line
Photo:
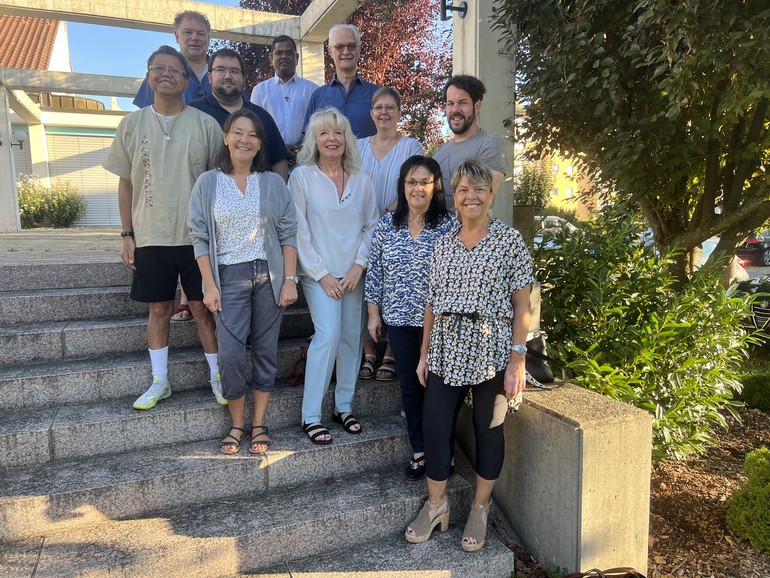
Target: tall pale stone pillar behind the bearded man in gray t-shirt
[477,52]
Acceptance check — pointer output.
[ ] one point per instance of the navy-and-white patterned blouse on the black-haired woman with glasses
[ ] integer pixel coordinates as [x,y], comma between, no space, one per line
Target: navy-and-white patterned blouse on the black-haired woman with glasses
[397,278]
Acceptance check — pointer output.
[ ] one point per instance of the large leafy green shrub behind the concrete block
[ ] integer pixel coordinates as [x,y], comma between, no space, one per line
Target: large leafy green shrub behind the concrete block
[611,311]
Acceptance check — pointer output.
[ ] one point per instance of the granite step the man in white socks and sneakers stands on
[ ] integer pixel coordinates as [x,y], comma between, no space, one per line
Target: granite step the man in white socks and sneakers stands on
[111,427]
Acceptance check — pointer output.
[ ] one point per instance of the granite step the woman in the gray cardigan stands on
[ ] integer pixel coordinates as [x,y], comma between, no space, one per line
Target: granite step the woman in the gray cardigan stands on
[76,493]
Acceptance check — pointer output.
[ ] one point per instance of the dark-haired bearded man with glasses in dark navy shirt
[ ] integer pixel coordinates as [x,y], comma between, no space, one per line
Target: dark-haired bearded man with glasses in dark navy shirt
[226,78]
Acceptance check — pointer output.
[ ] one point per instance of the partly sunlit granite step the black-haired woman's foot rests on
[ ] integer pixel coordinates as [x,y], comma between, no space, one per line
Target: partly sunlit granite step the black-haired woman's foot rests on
[255,531]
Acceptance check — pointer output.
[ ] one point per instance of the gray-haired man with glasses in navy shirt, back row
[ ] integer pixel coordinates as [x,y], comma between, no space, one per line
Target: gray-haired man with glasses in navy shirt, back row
[347,91]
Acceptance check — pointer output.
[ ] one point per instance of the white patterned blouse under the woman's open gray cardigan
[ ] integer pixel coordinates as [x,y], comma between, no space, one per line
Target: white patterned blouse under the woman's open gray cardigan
[239,233]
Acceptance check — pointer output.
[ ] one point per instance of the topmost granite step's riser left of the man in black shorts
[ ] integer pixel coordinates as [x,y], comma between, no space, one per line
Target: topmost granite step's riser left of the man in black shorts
[36,276]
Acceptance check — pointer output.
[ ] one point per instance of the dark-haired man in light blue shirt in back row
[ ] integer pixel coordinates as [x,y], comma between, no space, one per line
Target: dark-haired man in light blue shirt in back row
[285,96]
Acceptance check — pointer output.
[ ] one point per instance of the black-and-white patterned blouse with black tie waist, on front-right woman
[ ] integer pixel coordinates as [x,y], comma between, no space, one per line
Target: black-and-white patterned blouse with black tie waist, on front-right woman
[470,296]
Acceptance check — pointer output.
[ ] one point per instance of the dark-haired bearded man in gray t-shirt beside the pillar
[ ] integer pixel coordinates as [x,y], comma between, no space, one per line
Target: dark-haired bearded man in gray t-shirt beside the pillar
[462,104]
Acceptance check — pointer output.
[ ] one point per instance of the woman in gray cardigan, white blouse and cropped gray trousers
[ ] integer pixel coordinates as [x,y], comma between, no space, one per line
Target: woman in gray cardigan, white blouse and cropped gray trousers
[243,229]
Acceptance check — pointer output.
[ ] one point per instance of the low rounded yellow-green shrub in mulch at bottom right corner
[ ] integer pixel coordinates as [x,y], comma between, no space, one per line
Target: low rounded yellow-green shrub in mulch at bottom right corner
[749,512]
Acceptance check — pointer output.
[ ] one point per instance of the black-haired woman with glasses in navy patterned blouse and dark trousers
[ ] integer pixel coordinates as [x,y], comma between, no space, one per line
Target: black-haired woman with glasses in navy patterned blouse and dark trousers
[397,282]
